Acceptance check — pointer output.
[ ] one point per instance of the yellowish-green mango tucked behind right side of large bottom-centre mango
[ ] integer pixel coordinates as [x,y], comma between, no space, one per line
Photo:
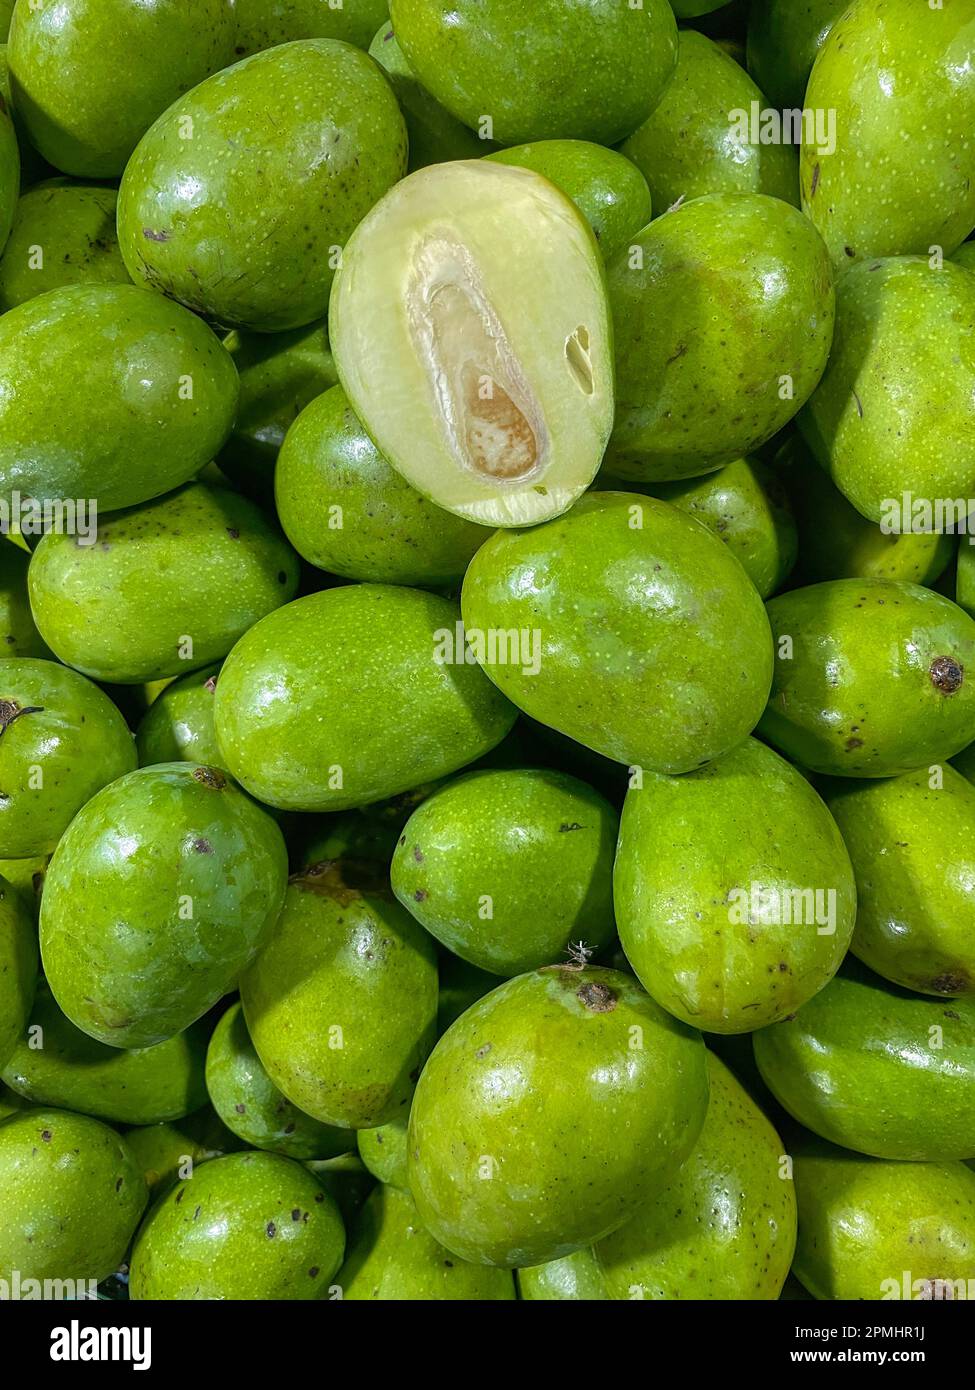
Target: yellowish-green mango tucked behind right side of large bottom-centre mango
[725,1229]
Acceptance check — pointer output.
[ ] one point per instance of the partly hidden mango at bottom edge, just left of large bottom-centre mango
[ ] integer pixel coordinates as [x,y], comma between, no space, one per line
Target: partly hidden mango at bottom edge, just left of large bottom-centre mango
[393,1259]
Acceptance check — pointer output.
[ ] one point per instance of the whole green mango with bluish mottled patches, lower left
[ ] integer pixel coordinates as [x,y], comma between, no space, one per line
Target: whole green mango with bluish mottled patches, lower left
[162,892]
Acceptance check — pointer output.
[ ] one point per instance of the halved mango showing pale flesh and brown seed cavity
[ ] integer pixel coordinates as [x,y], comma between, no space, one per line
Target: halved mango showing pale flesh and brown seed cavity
[472,334]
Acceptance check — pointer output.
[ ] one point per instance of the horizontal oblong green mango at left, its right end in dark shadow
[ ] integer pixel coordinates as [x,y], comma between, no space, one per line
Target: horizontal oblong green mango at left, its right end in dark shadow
[202,564]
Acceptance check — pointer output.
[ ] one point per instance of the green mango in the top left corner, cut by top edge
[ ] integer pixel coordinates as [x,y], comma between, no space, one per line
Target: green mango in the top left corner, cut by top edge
[90,77]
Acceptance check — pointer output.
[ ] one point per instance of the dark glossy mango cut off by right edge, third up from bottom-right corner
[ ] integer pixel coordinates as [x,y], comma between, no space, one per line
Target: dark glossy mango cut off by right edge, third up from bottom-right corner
[877,1070]
